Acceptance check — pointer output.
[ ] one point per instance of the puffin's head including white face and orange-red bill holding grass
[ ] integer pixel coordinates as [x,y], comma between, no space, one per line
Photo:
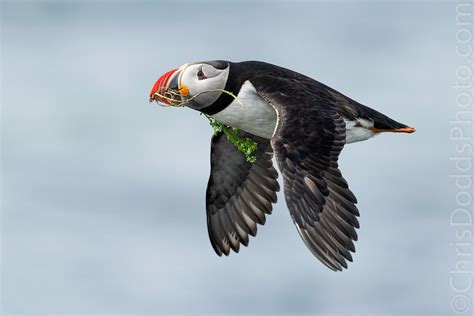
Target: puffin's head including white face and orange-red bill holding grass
[197,85]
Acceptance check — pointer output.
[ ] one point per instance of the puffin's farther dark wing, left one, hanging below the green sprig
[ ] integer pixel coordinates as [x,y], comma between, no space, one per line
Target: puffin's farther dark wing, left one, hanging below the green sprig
[239,193]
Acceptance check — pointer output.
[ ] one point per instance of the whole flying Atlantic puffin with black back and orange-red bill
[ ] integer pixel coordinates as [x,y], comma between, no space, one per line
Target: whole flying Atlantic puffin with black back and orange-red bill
[304,124]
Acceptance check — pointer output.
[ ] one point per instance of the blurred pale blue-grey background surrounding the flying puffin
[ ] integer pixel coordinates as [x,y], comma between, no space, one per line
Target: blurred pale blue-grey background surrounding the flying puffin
[103,194]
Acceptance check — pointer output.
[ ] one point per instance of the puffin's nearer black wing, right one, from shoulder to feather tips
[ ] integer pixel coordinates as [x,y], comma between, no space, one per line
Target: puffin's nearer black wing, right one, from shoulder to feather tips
[309,137]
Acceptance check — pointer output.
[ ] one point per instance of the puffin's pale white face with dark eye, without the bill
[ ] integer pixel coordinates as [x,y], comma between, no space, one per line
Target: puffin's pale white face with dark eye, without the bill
[203,81]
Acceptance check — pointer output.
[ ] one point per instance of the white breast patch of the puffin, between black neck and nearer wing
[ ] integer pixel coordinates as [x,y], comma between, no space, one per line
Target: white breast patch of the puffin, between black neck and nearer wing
[252,114]
